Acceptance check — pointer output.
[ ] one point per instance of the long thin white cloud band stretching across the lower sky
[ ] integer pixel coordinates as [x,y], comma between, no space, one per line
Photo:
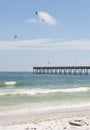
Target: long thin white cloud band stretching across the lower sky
[45,44]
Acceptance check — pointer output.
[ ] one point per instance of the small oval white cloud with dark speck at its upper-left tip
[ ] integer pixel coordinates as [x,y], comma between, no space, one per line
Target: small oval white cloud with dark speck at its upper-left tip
[45,17]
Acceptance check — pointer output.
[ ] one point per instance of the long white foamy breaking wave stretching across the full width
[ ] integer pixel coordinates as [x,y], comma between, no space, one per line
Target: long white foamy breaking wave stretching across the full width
[43,91]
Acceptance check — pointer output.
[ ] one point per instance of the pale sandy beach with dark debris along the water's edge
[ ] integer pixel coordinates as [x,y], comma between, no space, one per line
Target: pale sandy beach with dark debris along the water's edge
[66,119]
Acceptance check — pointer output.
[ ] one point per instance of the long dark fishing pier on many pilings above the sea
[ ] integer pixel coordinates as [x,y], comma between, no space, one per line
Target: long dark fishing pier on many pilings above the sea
[61,70]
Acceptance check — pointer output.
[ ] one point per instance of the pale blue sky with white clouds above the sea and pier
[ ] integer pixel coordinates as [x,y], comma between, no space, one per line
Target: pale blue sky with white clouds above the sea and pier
[64,42]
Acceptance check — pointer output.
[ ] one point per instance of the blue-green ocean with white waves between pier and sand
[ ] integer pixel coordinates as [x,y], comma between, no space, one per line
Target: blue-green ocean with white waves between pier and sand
[25,92]
